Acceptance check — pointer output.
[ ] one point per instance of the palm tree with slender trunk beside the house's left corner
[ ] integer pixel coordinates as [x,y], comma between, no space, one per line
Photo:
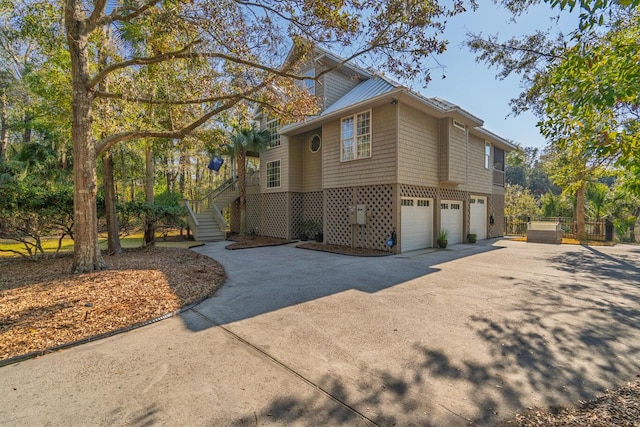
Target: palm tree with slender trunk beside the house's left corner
[243,140]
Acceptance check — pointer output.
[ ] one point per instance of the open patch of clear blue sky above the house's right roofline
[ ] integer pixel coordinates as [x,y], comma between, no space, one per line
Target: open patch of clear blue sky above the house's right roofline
[473,85]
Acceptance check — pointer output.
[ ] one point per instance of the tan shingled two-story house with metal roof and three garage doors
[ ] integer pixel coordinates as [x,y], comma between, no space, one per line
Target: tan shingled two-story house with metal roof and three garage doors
[379,158]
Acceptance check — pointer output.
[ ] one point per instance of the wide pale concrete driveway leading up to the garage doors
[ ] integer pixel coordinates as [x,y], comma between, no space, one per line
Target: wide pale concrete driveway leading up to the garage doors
[465,336]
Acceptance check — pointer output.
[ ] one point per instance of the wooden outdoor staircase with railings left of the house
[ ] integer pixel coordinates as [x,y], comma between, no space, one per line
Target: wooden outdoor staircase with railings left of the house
[206,222]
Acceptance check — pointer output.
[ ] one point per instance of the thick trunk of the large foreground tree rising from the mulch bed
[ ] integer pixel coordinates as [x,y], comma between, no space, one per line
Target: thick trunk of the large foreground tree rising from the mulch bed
[86,253]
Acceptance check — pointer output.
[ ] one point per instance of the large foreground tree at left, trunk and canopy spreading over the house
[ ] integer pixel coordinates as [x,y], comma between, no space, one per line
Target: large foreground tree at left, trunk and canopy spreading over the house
[232,49]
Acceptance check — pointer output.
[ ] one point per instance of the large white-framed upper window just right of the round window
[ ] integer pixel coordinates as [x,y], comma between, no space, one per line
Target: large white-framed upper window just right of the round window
[355,136]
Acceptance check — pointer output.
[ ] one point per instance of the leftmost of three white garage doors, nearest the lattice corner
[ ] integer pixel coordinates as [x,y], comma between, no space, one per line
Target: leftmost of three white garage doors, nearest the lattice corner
[416,224]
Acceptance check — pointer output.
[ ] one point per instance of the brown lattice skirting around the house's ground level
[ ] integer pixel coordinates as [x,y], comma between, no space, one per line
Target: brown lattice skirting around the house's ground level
[278,214]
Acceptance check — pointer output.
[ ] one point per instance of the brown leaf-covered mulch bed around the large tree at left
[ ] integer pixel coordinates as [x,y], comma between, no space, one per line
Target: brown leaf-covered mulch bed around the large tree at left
[43,306]
